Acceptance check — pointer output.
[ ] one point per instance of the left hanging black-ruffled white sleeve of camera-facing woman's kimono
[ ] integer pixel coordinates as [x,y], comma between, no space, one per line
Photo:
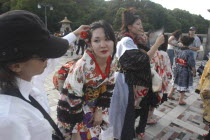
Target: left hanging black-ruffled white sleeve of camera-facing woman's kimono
[70,106]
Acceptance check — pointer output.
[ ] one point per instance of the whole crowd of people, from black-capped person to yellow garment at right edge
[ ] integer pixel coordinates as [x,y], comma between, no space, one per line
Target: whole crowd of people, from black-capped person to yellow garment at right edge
[106,89]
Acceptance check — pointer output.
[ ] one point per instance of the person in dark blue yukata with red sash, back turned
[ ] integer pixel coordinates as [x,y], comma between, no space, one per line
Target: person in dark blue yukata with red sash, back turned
[184,70]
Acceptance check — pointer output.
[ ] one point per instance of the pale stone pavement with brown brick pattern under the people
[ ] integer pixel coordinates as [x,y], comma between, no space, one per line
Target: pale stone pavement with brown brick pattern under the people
[175,122]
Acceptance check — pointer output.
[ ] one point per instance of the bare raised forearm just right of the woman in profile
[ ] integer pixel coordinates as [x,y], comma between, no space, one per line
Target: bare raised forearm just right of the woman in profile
[159,41]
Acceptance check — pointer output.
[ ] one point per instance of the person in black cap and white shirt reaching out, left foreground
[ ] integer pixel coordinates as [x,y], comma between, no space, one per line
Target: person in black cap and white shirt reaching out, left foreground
[25,47]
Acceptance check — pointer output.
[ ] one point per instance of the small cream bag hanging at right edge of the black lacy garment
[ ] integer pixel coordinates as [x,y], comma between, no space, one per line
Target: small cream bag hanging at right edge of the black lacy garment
[156,81]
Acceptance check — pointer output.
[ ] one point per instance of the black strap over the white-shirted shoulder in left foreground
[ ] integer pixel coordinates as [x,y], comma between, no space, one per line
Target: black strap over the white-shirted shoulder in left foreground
[35,104]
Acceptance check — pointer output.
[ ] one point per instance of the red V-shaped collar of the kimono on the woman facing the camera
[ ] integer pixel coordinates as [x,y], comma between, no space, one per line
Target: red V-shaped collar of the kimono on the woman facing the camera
[108,62]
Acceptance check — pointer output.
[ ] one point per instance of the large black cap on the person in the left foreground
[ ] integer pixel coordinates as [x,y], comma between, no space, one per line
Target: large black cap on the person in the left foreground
[23,34]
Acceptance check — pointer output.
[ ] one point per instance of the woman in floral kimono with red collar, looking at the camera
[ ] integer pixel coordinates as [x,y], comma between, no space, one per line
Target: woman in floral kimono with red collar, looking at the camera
[85,98]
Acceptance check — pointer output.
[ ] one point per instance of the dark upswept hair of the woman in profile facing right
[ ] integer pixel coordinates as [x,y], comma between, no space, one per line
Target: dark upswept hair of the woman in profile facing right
[128,18]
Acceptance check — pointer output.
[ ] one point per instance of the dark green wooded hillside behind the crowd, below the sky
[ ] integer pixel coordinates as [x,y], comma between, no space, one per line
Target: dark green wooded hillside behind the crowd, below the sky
[153,15]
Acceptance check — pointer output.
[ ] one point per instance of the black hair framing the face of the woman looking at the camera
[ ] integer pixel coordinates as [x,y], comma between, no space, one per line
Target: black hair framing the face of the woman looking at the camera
[109,32]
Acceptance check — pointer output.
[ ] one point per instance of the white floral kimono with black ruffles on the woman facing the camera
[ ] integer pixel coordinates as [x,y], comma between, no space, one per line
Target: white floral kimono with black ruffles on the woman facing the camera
[85,89]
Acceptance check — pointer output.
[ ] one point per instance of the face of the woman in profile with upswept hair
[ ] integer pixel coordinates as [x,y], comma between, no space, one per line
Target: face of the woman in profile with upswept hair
[136,28]
